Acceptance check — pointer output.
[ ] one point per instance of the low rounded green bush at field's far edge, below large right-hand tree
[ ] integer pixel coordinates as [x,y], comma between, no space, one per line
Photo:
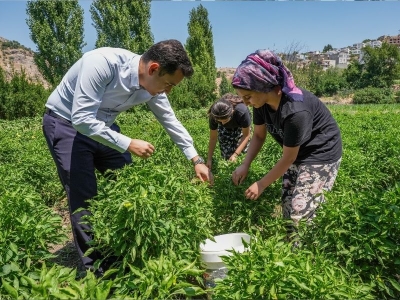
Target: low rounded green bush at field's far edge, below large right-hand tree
[372,95]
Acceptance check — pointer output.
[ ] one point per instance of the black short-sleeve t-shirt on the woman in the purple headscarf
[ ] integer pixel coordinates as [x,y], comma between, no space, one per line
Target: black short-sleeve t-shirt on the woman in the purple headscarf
[308,124]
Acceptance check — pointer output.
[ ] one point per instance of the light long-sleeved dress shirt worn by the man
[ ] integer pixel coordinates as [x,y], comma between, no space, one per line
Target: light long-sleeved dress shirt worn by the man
[102,84]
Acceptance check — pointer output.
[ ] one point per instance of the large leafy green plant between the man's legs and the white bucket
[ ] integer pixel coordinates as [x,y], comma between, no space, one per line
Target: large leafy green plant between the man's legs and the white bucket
[148,212]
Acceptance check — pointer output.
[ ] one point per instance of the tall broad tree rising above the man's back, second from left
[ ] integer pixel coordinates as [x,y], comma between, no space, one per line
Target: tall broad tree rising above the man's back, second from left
[123,24]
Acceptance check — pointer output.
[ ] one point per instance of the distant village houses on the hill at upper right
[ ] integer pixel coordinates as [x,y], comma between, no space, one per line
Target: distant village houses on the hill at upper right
[340,58]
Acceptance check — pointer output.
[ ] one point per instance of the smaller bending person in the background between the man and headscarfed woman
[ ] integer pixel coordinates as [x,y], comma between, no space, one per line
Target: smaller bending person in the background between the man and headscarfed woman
[229,121]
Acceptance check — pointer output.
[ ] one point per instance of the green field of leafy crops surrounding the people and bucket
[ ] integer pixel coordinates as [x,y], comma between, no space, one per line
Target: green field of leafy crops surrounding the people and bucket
[153,214]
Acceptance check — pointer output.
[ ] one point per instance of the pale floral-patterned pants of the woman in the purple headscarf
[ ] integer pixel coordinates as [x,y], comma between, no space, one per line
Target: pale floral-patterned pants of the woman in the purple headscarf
[303,189]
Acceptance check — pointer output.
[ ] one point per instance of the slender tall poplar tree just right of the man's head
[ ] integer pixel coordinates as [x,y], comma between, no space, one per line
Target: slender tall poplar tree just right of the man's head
[200,48]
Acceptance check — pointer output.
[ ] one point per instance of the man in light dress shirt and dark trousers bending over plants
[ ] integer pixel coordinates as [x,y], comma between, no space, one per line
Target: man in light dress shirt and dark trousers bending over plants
[79,121]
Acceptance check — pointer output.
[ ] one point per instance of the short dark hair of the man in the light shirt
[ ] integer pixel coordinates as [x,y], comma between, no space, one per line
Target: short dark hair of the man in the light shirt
[171,55]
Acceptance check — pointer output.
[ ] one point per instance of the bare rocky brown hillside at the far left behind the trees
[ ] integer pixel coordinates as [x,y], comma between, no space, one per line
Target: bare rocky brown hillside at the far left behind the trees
[14,57]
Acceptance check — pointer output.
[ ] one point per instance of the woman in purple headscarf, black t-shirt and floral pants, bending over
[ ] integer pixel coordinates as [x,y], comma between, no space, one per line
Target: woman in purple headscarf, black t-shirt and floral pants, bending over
[300,123]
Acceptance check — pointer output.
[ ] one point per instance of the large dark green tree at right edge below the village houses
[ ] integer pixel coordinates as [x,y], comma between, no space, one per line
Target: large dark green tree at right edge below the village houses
[379,67]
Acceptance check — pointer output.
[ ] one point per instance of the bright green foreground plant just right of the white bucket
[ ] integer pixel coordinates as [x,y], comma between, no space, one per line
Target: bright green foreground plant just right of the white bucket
[271,270]
